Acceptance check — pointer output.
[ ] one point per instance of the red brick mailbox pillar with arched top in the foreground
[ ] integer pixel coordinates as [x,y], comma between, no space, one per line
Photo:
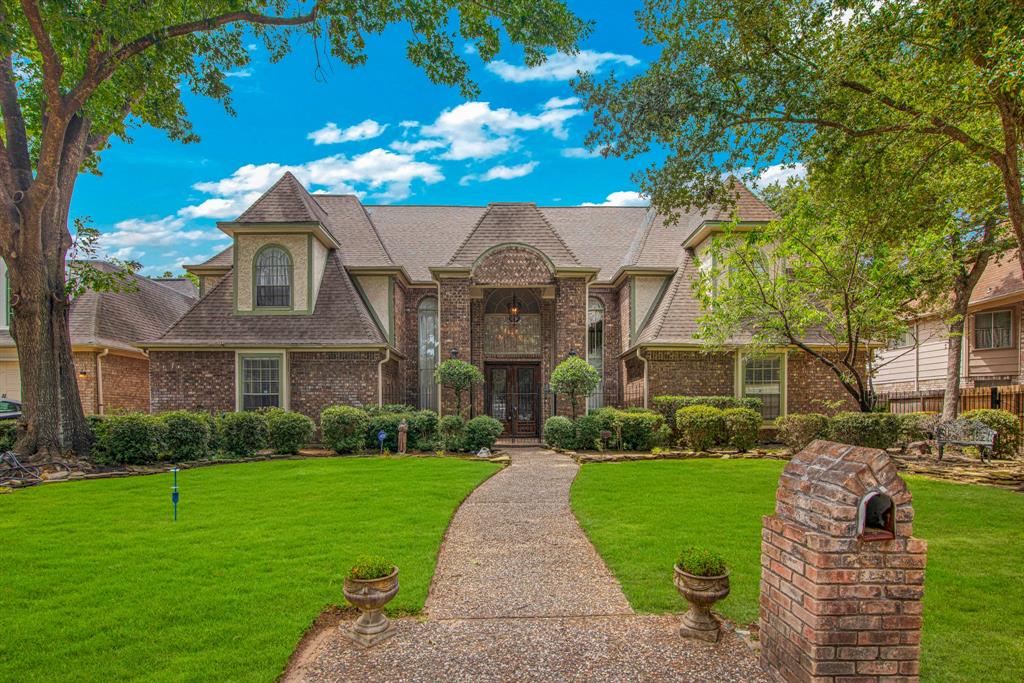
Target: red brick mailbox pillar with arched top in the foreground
[842,579]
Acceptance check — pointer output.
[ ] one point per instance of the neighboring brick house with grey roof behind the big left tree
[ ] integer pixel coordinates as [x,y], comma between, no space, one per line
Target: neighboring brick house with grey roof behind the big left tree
[113,373]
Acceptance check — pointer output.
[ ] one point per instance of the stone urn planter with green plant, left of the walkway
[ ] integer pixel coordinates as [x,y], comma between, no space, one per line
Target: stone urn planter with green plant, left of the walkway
[370,585]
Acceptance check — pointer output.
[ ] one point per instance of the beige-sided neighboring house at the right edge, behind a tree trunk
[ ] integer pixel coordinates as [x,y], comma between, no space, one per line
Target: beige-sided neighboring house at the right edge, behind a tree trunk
[992,355]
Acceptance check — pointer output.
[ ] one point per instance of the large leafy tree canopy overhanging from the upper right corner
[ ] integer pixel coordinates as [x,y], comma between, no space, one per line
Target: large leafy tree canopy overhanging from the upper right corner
[742,84]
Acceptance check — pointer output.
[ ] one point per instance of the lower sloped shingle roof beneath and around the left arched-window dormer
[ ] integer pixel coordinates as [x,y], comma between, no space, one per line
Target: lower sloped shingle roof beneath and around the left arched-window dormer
[339,319]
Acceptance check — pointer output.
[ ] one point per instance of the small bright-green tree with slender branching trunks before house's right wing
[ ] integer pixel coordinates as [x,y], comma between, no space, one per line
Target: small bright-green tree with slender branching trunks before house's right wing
[824,280]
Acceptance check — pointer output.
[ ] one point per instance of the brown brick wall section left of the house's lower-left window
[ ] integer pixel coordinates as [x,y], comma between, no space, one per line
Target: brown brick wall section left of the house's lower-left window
[192,381]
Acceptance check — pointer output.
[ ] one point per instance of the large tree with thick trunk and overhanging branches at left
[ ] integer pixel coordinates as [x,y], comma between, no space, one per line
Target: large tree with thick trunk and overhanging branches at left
[73,73]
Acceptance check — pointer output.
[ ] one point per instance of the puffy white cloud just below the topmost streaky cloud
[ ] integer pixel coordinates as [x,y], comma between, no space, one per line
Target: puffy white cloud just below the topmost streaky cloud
[474,131]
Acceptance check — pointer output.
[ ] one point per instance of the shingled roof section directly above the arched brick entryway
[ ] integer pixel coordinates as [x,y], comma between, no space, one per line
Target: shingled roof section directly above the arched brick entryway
[519,223]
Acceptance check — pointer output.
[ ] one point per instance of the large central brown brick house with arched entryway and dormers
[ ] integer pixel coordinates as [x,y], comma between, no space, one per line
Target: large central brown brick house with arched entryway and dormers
[322,301]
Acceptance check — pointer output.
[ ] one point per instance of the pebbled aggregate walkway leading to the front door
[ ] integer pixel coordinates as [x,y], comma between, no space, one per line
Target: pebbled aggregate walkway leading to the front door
[520,594]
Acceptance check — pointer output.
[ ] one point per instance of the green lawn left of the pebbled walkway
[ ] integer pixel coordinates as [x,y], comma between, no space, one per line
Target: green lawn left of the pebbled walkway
[98,584]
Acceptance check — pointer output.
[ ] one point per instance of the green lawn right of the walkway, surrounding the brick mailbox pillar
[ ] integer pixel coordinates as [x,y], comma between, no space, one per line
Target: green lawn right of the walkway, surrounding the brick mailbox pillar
[974,592]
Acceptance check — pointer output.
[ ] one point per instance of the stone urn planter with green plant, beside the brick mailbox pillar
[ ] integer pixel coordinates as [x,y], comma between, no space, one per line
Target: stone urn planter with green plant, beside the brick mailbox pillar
[703,579]
